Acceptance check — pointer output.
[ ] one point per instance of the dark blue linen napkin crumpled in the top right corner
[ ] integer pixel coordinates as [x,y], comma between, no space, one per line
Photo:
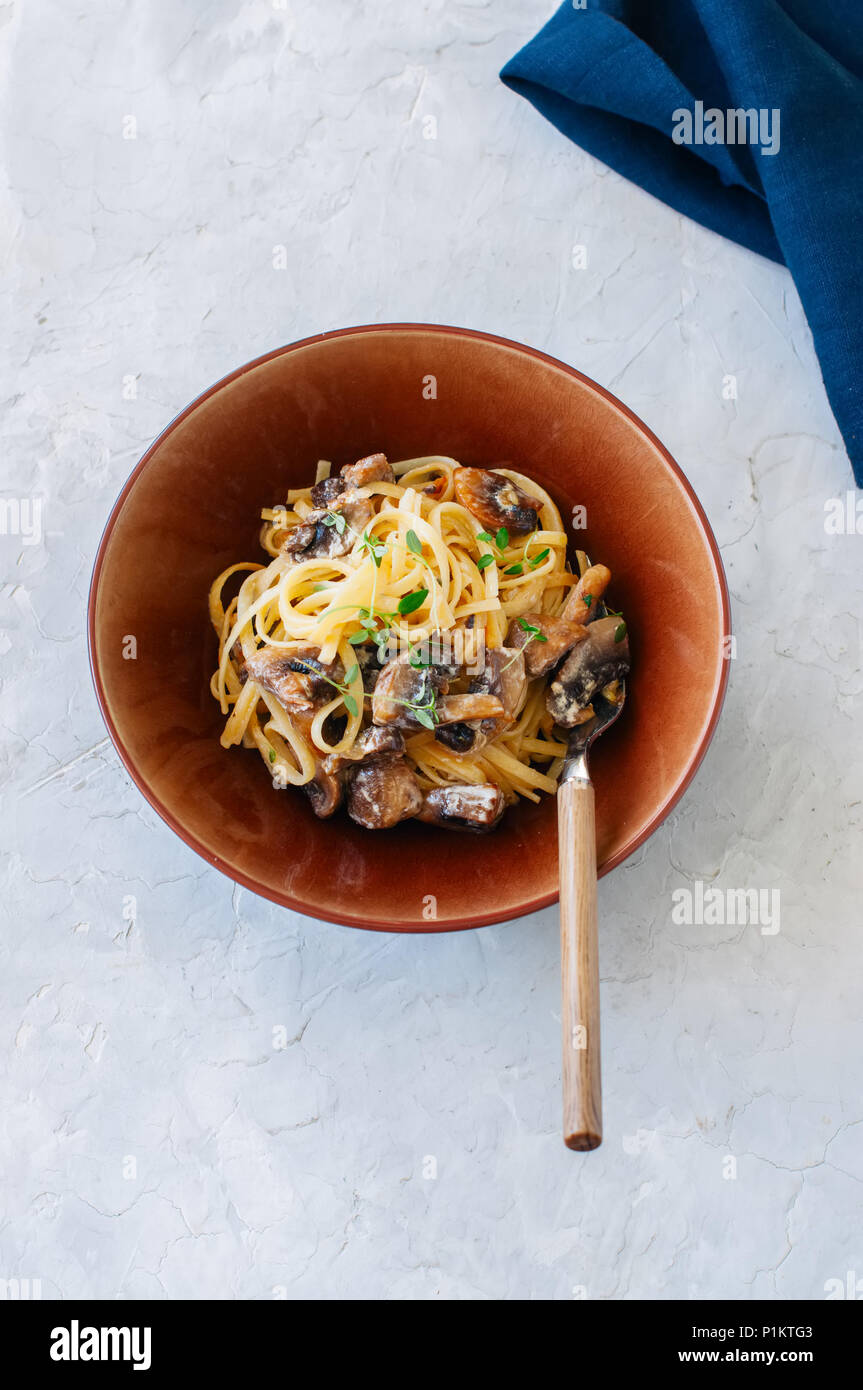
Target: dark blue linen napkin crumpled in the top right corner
[666,92]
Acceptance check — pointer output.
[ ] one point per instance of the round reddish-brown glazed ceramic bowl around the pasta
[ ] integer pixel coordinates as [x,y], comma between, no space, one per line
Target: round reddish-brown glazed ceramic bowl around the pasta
[191,508]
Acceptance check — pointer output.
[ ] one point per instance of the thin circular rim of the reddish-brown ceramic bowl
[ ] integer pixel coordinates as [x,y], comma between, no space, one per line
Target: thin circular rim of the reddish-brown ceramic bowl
[286,900]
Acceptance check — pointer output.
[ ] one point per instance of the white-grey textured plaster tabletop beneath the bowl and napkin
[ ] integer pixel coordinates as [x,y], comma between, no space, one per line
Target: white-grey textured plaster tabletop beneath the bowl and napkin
[304,1170]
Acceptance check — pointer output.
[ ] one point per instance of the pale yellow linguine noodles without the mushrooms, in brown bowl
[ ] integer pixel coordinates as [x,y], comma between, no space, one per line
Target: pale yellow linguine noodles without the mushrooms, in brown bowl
[422,571]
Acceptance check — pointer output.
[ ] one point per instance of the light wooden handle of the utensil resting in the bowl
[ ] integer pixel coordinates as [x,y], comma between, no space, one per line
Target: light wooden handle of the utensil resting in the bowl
[580,965]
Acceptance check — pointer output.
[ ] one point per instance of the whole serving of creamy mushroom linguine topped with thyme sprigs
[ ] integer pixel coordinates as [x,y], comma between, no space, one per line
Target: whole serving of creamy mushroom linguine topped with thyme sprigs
[418,646]
